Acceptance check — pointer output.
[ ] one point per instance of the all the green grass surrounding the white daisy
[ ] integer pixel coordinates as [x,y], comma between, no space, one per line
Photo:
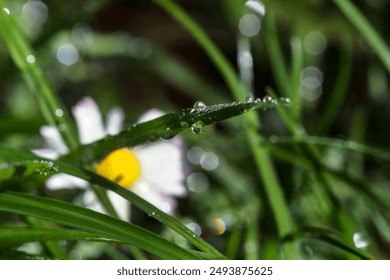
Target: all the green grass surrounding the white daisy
[298,179]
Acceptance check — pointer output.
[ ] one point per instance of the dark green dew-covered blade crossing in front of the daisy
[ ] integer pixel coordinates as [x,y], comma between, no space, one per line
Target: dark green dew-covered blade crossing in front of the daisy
[167,126]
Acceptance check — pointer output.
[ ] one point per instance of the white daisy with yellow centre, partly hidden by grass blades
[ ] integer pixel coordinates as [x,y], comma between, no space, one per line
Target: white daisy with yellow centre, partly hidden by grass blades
[153,171]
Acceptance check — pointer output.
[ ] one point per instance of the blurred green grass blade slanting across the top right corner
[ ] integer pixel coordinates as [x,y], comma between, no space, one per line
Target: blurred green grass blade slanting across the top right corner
[369,33]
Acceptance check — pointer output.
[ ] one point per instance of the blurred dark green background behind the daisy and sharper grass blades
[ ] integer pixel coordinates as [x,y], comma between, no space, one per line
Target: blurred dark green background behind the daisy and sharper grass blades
[133,54]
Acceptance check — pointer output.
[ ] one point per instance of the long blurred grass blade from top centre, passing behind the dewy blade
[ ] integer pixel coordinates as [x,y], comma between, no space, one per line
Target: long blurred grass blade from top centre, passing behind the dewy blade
[262,157]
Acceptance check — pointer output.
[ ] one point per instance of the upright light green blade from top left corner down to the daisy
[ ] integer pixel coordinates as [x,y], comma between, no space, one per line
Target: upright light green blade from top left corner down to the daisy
[27,62]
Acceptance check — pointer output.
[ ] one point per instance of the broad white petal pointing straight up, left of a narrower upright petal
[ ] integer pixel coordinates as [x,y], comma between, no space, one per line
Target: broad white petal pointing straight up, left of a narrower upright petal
[89,120]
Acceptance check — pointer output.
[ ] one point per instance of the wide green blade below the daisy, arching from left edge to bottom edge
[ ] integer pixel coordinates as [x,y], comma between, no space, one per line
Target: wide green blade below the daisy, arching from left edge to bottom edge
[88,220]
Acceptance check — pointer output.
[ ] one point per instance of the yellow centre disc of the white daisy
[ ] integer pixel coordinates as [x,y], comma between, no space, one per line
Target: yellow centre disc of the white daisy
[120,166]
